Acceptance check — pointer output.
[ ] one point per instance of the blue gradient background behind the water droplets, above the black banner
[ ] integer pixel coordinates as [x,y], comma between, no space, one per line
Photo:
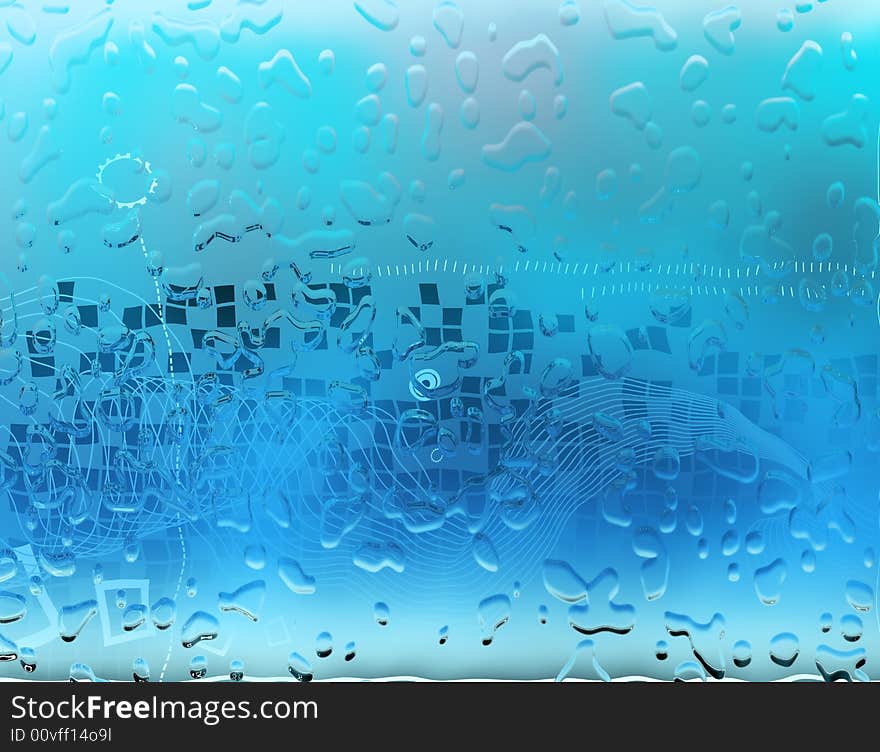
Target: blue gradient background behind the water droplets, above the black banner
[611,263]
